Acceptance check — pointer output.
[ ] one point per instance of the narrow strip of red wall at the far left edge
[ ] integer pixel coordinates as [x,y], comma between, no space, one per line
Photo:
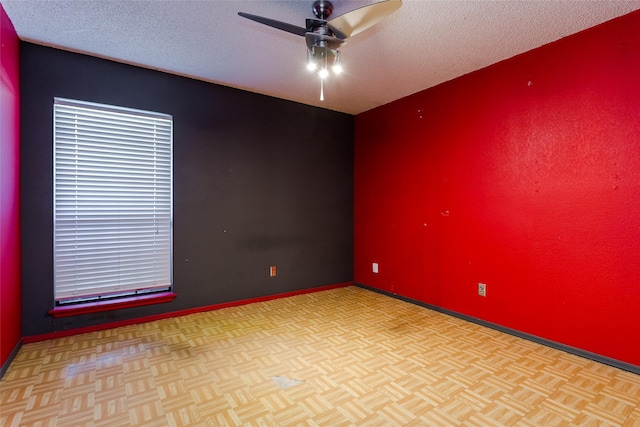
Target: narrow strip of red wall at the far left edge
[10,283]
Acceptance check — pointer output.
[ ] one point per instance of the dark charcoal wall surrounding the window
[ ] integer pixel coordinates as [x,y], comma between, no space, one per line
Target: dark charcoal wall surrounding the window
[258,181]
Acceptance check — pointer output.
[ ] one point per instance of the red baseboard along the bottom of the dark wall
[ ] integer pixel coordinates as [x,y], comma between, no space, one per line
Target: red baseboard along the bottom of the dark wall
[110,325]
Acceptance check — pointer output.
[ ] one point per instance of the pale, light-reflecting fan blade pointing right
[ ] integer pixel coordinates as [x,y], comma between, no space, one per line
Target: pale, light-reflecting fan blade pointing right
[356,21]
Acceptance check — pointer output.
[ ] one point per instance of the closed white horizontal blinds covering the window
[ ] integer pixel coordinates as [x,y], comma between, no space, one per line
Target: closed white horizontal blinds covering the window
[112,201]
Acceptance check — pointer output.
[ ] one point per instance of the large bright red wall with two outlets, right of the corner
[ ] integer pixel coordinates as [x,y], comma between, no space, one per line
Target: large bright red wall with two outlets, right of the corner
[525,176]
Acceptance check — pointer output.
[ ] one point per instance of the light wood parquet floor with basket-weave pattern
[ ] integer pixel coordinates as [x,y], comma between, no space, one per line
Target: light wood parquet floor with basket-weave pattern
[365,359]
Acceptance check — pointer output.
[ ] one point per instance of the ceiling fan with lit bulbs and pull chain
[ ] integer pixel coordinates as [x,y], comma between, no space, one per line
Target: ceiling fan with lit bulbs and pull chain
[324,36]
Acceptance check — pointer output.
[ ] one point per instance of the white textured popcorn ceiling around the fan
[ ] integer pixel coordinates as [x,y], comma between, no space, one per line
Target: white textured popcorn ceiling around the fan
[421,45]
